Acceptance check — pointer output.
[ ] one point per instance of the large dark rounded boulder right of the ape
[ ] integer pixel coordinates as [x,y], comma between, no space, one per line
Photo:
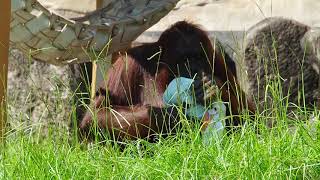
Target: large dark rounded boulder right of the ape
[273,46]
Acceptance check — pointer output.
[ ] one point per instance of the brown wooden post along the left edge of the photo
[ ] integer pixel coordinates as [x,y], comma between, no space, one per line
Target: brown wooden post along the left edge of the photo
[4,51]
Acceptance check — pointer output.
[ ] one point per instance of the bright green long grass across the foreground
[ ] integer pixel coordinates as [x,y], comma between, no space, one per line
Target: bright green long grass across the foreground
[276,153]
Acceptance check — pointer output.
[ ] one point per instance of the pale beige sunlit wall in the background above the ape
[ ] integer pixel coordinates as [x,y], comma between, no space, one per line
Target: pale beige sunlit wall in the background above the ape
[215,15]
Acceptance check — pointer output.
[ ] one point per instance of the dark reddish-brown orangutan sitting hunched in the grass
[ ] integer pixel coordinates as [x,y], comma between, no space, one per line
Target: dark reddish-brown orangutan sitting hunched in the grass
[129,104]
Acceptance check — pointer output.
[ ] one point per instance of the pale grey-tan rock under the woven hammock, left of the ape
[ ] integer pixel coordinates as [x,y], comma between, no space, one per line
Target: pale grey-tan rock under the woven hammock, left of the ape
[39,95]
